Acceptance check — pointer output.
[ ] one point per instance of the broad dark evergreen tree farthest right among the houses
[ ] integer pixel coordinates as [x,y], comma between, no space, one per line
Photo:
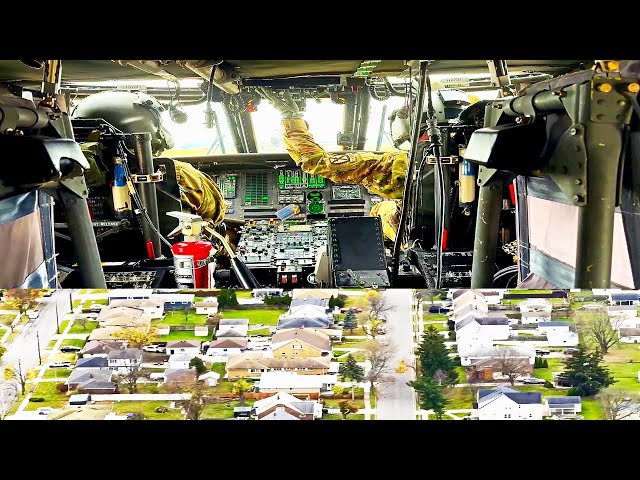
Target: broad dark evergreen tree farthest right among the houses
[584,373]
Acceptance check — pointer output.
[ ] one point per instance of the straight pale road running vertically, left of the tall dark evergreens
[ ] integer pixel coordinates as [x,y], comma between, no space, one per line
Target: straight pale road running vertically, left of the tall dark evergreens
[396,401]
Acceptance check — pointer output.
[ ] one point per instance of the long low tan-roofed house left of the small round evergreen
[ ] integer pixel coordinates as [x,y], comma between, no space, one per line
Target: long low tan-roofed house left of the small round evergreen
[254,364]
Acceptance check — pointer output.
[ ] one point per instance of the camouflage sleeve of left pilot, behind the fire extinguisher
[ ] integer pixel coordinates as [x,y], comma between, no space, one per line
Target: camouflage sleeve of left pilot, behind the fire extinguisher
[199,193]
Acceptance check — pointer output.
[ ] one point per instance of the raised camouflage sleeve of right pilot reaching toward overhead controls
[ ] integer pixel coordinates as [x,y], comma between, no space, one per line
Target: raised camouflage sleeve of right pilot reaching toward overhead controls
[382,174]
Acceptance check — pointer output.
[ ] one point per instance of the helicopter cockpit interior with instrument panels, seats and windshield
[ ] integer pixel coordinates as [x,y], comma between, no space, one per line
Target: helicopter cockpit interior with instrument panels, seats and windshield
[488,144]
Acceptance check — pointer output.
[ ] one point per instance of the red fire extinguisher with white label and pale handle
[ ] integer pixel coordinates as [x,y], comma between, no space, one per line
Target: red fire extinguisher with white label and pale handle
[193,257]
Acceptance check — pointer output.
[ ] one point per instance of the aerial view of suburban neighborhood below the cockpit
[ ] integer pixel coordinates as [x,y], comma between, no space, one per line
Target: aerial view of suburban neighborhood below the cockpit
[319,354]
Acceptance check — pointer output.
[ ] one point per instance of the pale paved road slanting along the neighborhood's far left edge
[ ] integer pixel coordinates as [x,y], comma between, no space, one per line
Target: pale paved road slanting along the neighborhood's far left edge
[25,346]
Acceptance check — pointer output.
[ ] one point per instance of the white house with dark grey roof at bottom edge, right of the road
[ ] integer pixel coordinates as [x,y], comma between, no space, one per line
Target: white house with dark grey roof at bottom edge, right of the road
[503,403]
